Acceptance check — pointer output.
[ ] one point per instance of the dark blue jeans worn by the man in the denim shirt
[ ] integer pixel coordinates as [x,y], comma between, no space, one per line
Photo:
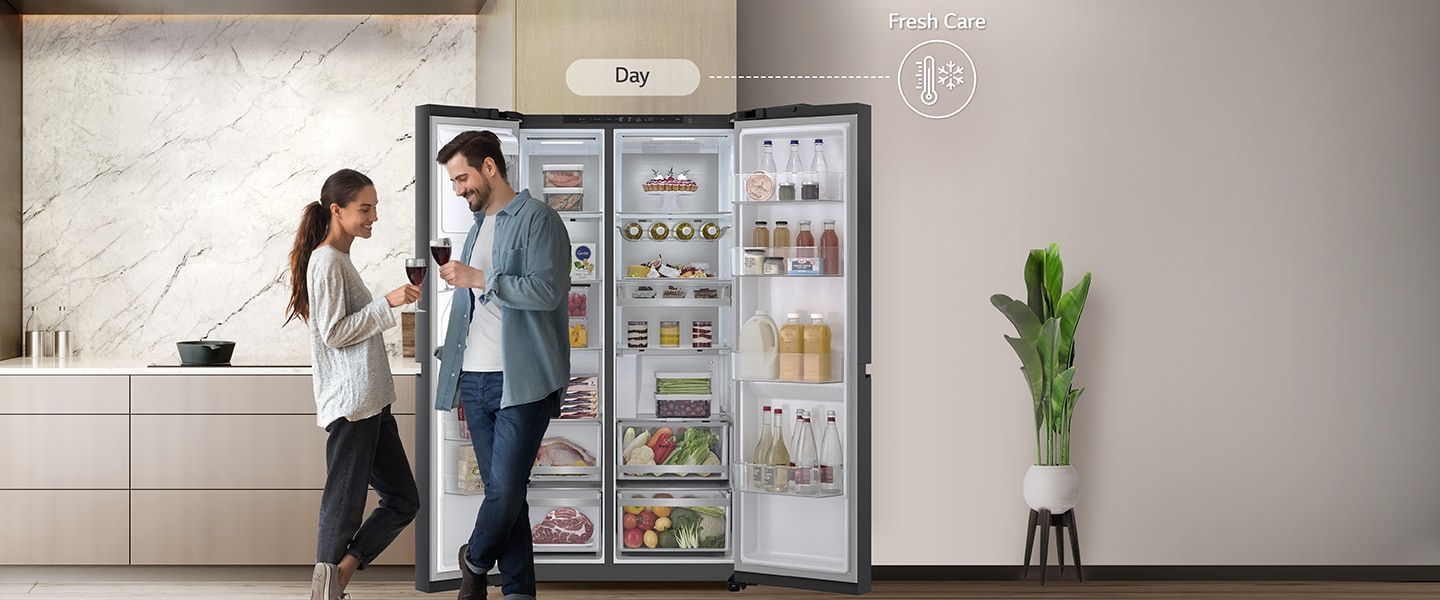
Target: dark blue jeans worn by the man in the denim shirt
[506,445]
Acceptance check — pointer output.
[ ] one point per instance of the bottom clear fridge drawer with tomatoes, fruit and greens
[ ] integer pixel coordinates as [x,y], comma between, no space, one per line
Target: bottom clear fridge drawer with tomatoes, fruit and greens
[673,523]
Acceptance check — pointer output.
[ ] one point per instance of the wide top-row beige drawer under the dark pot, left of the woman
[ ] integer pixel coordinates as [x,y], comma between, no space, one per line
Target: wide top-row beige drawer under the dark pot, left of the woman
[234,395]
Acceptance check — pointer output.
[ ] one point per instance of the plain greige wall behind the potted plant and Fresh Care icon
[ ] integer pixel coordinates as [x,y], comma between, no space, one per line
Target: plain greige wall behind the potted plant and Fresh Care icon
[1254,186]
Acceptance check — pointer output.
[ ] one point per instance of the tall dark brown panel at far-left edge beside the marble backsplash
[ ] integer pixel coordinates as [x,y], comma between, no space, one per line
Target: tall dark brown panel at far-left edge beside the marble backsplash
[11,219]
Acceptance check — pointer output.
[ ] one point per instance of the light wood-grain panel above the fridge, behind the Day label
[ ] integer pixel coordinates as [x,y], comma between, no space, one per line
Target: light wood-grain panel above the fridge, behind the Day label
[554,34]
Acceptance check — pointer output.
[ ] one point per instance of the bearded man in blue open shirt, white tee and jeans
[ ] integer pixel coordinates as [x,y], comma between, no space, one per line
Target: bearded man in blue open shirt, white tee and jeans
[506,355]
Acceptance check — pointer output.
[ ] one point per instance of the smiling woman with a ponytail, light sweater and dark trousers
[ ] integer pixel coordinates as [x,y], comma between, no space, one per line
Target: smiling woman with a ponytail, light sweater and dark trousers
[354,383]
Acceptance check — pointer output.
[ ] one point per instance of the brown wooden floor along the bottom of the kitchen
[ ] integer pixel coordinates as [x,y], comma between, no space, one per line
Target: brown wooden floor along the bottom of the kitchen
[898,591]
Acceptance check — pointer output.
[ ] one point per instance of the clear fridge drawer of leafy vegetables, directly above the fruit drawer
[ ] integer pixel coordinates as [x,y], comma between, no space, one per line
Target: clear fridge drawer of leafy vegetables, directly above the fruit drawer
[653,450]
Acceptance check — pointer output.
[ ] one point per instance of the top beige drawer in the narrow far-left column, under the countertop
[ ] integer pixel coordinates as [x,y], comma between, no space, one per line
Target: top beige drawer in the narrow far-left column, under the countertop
[60,395]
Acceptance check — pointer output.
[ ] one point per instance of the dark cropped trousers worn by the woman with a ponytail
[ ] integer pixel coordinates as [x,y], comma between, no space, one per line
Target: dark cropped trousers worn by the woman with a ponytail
[361,455]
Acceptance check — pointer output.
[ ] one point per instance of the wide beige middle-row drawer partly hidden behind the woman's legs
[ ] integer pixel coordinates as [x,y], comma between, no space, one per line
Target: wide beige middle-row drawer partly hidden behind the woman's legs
[235,451]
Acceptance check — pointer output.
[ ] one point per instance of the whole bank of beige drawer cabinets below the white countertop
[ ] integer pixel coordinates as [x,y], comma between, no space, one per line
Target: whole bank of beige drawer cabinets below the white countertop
[169,470]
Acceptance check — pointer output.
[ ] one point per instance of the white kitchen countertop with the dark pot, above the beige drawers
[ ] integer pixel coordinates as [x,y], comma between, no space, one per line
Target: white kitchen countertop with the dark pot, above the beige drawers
[171,366]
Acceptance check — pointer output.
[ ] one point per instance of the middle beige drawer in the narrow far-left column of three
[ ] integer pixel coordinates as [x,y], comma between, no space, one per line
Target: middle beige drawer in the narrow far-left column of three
[64,453]
